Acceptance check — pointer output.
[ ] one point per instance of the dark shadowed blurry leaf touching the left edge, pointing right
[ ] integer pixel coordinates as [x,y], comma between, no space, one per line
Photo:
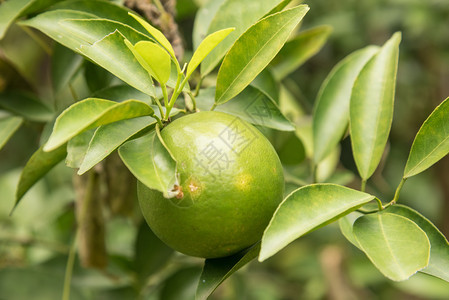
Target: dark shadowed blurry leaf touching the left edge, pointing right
[26,105]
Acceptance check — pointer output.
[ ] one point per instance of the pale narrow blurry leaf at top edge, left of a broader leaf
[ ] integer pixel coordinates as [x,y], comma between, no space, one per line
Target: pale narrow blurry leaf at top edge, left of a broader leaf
[203,18]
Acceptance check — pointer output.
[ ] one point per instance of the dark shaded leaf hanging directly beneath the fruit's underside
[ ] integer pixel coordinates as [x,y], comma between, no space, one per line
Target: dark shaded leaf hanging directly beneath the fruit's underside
[216,270]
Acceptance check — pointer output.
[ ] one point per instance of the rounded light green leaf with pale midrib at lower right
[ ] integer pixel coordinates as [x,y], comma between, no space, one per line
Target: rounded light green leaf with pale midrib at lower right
[394,244]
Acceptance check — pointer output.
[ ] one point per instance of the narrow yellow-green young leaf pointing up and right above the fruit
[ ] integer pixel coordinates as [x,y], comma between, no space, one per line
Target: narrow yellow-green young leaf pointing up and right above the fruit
[206,46]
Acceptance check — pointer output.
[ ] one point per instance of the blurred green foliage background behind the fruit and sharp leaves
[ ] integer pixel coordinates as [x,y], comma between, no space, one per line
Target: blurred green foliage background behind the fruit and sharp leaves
[36,239]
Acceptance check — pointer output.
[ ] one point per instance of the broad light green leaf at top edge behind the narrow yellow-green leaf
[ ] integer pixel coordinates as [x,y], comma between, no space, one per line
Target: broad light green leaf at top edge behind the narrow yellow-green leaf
[238,14]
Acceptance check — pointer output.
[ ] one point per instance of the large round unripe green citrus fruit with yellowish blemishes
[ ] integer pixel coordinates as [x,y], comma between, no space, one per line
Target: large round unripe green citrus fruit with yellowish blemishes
[231,182]
